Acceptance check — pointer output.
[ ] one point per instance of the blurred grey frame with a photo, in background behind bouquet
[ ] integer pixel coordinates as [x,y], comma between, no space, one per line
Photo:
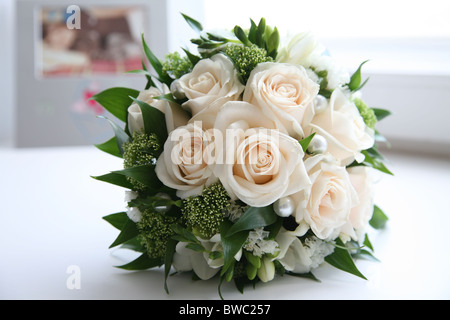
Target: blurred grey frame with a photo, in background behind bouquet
[66,53]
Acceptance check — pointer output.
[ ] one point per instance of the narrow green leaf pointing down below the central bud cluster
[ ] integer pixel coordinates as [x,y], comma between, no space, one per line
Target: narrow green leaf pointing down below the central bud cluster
[230,244]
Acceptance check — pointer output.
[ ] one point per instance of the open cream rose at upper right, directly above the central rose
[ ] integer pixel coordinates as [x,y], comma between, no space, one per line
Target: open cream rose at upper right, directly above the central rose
[283,92]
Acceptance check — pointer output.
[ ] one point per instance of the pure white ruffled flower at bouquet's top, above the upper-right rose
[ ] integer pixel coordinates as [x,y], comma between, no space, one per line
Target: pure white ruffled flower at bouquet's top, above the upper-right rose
[299,49]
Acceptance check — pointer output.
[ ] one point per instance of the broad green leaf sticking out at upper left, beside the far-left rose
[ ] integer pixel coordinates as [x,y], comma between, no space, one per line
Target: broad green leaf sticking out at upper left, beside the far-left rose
[116,101]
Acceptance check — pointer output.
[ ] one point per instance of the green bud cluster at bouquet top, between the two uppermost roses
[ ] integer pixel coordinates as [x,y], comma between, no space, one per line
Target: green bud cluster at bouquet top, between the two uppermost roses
[246,58]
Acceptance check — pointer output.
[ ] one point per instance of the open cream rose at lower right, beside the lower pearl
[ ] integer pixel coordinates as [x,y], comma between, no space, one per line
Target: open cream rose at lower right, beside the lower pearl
[325,207]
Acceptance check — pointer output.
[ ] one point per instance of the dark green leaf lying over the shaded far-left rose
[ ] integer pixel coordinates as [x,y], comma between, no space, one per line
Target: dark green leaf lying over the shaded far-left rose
[154,121]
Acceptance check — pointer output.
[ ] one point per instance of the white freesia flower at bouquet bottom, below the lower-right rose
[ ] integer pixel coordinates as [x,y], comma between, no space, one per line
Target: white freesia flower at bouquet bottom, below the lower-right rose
[301,257]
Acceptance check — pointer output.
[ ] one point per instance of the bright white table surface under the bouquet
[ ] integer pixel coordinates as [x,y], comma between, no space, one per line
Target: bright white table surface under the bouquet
[51,219]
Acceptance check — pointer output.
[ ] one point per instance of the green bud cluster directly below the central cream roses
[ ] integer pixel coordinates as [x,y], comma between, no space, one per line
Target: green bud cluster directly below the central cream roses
[204,213]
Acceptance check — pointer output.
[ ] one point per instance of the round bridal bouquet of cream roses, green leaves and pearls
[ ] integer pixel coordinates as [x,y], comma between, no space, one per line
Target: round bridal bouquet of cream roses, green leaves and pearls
[249,158]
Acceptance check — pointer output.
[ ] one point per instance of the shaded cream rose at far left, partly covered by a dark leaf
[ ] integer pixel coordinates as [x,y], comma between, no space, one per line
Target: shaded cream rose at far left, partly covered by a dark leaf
[175,116]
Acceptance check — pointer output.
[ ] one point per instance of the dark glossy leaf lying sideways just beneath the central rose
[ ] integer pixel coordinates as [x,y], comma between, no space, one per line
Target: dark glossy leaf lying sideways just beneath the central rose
[254,217]
